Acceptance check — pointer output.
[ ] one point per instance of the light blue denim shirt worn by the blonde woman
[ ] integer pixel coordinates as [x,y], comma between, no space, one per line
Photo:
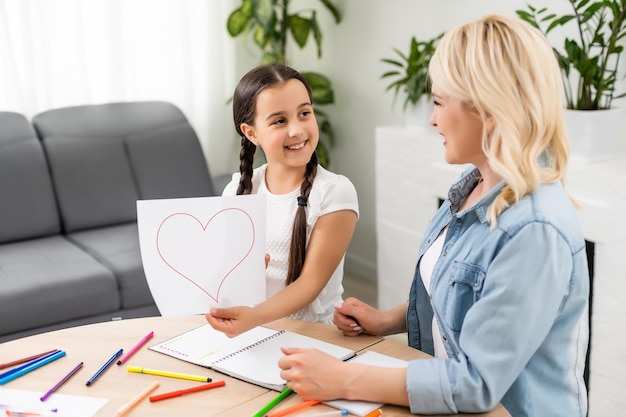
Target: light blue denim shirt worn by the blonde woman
[511,305]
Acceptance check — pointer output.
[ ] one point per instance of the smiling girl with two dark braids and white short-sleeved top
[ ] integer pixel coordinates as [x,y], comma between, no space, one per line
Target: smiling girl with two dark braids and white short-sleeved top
[311,212]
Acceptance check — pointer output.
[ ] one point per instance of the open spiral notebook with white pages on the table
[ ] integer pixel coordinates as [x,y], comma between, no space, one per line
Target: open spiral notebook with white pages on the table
[252,356]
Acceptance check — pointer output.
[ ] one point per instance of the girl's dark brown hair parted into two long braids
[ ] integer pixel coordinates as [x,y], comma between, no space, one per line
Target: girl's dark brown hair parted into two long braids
[244,111]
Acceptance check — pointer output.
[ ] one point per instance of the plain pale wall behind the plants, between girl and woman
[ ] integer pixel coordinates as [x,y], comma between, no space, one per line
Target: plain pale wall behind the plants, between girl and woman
[351,58]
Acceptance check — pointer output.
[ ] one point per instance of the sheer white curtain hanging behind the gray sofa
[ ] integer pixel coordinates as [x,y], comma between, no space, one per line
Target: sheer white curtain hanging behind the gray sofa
[57,53]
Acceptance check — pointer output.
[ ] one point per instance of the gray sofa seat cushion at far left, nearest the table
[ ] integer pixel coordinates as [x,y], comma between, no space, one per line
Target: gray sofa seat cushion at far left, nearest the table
[51,280]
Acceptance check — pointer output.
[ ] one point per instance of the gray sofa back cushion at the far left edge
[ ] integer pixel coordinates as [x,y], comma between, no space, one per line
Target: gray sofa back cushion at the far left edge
[27,206]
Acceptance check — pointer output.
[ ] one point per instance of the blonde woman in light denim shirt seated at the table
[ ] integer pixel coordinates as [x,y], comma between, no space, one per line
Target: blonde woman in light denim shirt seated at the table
[500,292]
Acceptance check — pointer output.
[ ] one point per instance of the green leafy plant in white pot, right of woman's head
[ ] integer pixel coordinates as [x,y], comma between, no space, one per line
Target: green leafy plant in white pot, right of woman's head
[589,62]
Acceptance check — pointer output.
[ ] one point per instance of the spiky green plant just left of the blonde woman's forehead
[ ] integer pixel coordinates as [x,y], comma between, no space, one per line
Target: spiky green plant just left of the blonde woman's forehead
[409,76]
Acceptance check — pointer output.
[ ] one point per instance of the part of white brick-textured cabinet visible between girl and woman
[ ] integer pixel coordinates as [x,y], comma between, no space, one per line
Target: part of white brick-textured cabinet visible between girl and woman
[411,177]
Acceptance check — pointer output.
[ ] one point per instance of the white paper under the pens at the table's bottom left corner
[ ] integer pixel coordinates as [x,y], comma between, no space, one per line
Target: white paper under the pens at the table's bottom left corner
[58,405]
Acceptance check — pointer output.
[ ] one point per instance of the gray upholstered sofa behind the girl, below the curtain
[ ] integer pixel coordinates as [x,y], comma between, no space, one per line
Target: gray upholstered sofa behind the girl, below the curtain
[69,182]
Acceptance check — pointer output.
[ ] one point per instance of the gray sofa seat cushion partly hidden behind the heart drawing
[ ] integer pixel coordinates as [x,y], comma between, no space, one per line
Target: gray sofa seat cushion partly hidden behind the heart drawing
[117,247]
